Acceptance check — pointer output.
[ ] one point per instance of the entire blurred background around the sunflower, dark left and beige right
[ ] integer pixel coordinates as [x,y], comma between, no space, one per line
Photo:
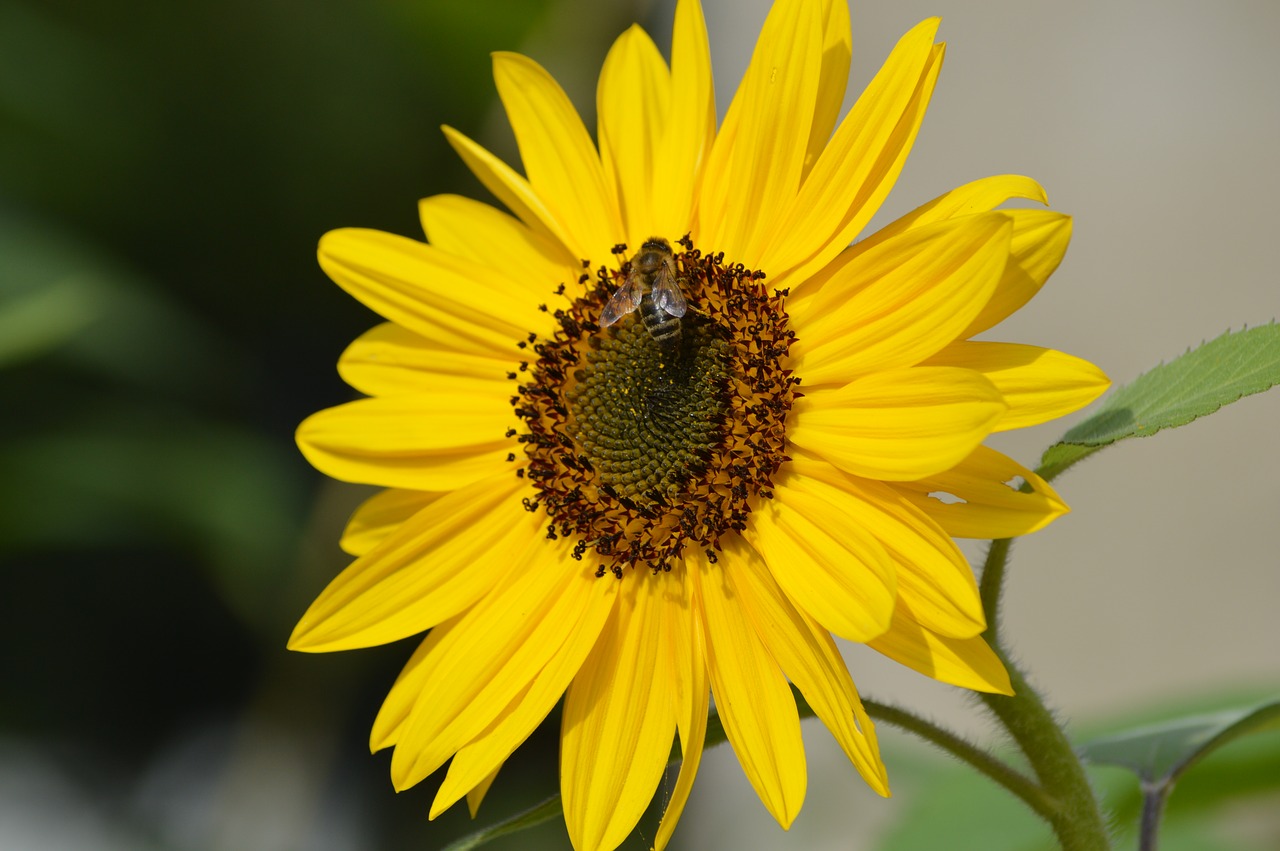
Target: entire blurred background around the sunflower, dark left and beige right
[164,175]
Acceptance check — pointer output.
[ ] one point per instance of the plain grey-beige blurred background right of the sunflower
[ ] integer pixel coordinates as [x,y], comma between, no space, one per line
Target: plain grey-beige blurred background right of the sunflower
[1156,126]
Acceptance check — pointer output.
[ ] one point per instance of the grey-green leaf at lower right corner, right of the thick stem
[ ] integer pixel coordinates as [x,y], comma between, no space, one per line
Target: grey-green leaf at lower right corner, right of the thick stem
[1162,753]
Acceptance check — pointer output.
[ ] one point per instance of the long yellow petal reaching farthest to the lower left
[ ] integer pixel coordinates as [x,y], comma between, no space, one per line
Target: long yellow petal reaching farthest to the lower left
[435,566]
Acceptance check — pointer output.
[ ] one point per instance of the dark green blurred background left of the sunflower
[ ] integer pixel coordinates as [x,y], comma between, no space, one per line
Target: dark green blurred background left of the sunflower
[166,172]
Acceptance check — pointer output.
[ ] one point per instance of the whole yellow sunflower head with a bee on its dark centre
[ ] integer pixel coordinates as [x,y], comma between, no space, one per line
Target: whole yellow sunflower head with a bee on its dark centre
[636,519]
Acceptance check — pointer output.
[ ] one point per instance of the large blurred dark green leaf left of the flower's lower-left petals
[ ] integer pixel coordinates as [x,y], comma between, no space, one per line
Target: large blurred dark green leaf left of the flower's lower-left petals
[122,474]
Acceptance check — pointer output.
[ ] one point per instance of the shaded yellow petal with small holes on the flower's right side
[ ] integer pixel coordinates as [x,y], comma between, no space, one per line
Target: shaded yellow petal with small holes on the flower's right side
[981,497]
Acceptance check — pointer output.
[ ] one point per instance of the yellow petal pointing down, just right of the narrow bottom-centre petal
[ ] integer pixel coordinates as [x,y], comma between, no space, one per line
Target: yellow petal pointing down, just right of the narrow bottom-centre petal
[752,696]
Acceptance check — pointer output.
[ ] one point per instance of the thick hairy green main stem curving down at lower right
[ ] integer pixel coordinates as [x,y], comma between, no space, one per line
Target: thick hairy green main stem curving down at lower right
[1076,816]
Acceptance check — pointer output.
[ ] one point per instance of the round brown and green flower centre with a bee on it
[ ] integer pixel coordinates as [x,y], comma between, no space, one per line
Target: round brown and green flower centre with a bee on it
[656,415]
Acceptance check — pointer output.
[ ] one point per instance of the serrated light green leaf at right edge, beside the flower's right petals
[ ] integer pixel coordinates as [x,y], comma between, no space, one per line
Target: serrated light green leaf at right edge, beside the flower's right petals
[1199,383]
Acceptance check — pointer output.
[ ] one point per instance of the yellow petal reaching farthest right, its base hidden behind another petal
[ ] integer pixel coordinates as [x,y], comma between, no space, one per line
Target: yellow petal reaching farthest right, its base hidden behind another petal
[1039,385]
